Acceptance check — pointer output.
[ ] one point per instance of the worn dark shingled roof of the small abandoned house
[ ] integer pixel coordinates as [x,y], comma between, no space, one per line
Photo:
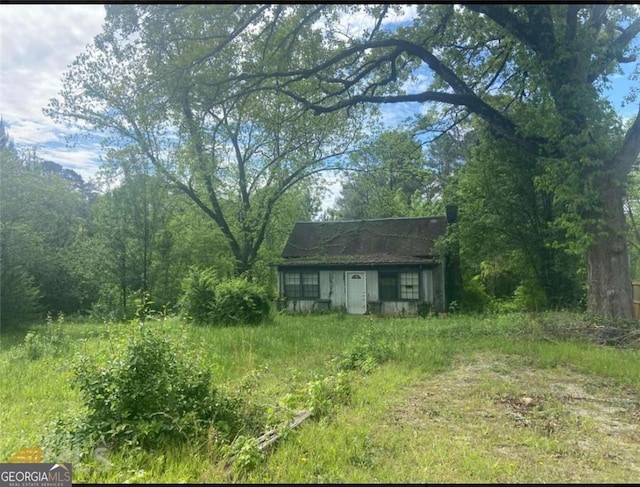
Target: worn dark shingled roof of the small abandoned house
[379,241]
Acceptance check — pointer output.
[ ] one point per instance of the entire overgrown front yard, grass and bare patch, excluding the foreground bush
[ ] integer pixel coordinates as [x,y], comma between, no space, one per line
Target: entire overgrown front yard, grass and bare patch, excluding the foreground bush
[504,399]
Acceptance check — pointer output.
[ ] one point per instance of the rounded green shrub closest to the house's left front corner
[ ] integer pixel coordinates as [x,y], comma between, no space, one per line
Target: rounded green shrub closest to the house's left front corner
[238,301]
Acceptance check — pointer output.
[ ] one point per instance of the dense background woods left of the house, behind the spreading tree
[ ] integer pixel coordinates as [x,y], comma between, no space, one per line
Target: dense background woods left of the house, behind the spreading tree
[97,249]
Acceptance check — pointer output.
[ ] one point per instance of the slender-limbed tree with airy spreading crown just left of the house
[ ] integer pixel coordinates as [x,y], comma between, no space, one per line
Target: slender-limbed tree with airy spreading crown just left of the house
[152,80]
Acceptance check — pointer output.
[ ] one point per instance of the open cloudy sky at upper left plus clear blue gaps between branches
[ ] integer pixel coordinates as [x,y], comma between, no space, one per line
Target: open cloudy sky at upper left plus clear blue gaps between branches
[38,42]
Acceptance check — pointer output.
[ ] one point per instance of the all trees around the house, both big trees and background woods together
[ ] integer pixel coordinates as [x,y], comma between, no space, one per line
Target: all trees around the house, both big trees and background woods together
[222,125]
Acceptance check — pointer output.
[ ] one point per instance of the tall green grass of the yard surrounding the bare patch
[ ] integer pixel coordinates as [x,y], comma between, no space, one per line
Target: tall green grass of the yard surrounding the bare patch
[270,361]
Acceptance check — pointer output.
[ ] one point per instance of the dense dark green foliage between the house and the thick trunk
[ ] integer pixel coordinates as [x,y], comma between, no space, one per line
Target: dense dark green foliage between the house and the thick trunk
[507,235]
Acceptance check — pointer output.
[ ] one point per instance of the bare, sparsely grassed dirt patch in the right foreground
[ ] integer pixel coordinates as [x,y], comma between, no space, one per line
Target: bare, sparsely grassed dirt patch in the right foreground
[521,424]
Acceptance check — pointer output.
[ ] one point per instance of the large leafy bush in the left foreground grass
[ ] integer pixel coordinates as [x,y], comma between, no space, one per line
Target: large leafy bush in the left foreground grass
[149,391]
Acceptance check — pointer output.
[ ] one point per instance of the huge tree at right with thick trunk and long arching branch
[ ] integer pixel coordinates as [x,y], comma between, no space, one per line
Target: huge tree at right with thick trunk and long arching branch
[534,73]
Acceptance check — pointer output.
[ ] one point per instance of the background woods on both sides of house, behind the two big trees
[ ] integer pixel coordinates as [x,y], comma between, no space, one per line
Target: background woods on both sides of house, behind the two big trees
[99,248]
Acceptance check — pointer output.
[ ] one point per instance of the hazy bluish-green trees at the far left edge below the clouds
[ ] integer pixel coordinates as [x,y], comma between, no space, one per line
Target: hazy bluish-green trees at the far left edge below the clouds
[44,212]
